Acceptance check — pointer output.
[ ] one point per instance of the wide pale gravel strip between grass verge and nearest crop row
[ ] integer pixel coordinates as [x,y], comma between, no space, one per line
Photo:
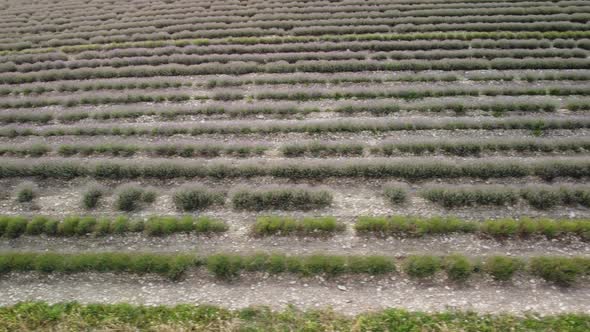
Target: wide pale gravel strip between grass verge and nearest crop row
[348,295]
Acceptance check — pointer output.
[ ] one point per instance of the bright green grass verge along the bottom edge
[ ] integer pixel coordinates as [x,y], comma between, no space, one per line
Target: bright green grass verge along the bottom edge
[78,317]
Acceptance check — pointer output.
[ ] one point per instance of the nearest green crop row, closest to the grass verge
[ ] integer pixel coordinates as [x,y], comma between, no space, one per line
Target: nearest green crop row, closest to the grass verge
[559,270]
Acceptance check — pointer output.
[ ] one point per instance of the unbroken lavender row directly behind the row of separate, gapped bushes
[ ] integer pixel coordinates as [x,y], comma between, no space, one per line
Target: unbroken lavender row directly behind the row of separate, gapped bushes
[414,169]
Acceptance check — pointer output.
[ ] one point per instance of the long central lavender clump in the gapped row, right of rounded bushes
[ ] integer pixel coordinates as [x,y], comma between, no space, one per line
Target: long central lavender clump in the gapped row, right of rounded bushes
[281,199]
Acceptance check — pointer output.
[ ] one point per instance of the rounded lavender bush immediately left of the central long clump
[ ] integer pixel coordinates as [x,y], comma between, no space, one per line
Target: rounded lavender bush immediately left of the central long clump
[190,198]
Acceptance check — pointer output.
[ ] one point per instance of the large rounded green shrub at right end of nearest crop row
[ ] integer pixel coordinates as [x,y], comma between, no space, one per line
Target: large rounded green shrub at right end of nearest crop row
[560,270]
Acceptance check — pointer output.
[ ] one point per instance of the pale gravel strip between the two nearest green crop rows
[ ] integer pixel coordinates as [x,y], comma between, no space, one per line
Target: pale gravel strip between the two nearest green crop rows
[343,244]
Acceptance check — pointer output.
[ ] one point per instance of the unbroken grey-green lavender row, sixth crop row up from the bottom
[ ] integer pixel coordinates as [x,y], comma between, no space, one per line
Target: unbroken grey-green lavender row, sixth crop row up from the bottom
[537,125]
